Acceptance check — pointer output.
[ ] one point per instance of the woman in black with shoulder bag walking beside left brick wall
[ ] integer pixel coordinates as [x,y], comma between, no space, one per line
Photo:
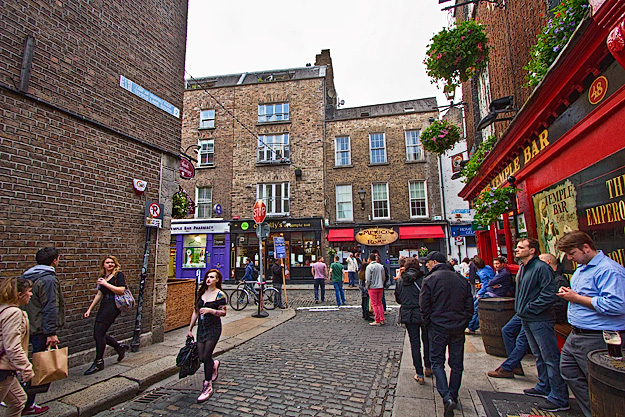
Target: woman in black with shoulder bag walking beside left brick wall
[111,282]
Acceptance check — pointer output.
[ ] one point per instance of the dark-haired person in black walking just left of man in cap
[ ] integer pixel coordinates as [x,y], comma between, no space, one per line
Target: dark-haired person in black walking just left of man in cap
[407,292]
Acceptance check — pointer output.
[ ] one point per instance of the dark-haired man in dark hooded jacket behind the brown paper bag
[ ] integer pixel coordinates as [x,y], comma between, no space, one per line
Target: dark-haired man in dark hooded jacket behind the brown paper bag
[46,312]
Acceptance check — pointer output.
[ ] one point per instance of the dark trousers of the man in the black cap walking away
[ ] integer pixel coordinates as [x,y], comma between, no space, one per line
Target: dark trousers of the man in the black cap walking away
[439,342]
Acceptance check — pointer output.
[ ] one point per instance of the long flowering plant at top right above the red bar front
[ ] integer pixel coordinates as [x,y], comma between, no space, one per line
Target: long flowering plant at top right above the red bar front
[553,37]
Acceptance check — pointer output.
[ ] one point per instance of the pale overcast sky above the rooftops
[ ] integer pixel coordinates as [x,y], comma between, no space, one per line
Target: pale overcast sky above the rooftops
[377,47]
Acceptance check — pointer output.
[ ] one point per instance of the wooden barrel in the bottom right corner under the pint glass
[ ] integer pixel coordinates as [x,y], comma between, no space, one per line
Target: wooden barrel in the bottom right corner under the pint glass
[606,385]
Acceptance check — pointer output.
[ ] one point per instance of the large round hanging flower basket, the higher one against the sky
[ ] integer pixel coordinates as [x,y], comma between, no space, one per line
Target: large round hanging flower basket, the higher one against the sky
[456,54]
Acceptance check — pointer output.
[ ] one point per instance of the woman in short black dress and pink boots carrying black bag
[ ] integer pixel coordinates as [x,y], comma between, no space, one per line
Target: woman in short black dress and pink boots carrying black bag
[210,307]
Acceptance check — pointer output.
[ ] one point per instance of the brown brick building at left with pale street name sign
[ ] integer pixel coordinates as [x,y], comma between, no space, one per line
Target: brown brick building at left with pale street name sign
[75,131]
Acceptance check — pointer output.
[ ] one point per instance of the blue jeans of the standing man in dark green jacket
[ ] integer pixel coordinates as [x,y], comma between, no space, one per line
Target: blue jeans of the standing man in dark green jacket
[542,340]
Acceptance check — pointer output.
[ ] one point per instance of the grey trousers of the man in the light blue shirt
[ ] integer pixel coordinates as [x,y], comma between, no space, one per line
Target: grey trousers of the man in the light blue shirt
[574,365]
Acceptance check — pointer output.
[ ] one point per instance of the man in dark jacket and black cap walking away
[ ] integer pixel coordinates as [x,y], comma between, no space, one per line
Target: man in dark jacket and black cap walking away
[446,306]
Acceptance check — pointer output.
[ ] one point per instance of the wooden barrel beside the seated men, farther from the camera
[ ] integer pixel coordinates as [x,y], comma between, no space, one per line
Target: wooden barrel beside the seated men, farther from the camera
[494,314]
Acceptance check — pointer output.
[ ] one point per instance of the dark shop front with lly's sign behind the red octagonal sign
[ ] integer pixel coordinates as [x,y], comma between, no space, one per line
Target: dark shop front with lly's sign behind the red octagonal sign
[302,241]
